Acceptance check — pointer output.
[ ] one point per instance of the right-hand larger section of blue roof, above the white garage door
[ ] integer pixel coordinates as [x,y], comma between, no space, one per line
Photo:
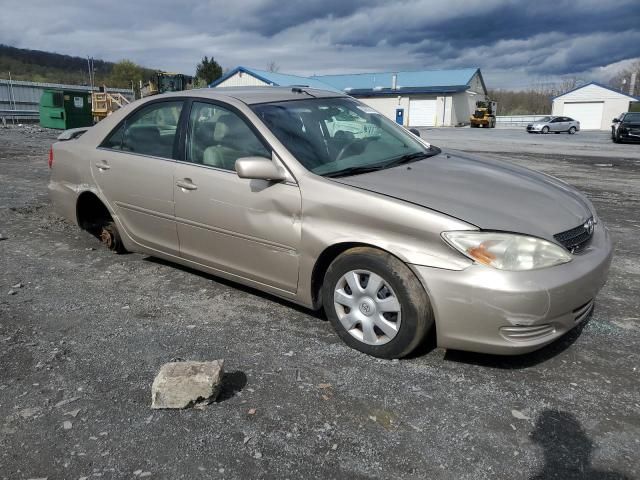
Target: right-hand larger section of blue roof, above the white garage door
[431,80]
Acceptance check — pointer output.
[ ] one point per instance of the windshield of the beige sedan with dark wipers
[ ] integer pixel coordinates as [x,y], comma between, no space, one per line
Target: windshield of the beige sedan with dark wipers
[333,135]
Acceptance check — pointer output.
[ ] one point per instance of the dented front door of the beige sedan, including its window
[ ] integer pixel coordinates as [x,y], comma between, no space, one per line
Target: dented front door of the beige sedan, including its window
[246,228]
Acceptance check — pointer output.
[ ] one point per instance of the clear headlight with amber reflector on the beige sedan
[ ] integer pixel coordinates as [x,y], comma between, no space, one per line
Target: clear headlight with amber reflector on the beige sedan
[507,251]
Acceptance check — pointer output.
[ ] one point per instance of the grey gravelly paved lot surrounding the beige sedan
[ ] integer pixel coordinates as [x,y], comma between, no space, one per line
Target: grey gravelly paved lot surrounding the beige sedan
[81,341]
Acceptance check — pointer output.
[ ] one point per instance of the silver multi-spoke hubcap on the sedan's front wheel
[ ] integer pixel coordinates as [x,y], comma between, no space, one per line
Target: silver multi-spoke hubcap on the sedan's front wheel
[367,307]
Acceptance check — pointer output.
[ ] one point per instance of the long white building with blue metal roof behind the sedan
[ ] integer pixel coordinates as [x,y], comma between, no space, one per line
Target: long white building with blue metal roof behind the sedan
[425,98]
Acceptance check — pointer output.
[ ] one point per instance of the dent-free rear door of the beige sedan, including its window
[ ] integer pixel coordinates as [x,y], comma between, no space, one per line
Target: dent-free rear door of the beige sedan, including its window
[134,169]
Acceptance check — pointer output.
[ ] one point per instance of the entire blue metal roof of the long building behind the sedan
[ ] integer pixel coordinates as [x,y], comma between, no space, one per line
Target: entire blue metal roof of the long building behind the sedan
[424,81]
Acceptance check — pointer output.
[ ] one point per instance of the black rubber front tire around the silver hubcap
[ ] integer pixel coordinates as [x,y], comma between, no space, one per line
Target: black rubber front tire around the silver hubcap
[416,316]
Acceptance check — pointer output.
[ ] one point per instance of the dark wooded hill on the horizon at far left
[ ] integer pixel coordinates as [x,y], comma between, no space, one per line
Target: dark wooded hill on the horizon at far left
[39,66]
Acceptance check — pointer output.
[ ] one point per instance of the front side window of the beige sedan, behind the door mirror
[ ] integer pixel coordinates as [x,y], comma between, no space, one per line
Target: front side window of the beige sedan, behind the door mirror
[217,137]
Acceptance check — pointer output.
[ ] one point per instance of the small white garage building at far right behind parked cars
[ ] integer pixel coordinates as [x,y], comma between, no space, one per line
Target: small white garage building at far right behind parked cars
[593,105]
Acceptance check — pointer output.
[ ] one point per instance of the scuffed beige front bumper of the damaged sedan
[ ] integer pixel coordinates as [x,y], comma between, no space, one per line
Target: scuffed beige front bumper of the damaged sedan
[482,309]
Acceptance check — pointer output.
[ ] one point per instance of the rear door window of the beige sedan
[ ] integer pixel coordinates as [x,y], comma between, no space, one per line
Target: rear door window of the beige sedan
[149,131]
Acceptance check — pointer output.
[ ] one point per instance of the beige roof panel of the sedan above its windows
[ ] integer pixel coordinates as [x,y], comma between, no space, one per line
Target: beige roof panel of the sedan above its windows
[254,95]
